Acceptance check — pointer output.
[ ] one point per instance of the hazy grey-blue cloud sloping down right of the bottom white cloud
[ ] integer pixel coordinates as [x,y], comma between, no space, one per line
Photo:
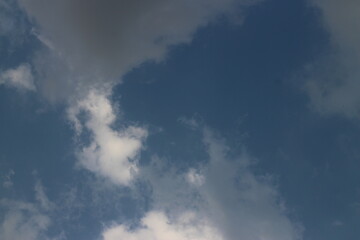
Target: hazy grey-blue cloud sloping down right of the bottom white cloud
[244,205]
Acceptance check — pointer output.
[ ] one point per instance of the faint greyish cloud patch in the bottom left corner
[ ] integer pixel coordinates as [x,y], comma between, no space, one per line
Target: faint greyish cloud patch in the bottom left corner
[24,220]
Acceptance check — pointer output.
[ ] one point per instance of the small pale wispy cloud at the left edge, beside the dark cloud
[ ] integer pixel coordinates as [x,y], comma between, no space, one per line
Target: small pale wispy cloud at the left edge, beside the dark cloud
[20,78]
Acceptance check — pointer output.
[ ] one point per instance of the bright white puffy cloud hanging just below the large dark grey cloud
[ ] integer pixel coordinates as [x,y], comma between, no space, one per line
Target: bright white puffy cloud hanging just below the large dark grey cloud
[110,153]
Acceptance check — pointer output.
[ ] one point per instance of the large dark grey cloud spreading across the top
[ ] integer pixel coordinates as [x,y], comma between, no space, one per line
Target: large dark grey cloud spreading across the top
[101,40]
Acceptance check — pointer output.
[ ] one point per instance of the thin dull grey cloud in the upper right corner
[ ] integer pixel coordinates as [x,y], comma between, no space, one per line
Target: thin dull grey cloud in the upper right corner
[334,81]
